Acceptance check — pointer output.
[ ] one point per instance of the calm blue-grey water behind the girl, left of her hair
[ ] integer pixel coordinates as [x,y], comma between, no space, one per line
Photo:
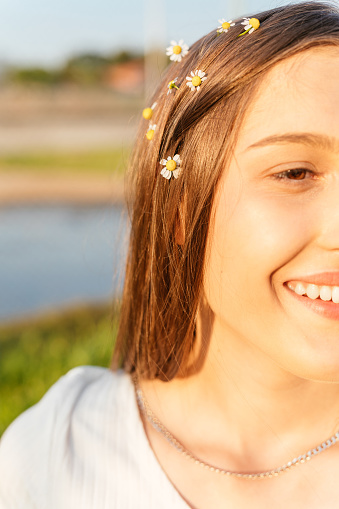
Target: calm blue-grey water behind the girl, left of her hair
[53,256]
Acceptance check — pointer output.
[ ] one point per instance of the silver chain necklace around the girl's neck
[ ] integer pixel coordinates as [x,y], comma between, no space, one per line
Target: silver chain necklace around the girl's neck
[160,428]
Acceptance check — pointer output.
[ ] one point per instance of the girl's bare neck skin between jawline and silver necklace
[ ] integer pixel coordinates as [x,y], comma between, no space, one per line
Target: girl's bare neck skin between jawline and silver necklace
[244,407]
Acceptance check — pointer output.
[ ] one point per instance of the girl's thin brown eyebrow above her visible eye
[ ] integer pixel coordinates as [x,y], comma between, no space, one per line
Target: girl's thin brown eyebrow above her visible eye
[311,139]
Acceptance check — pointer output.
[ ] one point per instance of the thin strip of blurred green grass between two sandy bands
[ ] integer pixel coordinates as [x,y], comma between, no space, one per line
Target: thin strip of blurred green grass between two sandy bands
[112,160]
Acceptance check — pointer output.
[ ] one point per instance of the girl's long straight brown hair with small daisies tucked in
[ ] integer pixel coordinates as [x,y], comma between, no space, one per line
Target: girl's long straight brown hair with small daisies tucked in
[163,283]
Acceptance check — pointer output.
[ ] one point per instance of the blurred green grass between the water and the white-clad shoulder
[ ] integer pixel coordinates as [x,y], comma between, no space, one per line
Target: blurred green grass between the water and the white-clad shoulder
[34,355]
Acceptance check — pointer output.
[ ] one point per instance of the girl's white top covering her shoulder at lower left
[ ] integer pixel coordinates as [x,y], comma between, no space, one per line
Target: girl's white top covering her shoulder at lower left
[83,446]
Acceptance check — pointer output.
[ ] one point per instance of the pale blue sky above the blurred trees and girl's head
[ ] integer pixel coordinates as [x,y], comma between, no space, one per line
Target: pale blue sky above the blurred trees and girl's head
[46,32]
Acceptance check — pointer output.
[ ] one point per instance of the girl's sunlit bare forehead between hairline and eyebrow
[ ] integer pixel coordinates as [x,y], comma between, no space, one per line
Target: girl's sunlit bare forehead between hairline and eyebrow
[300,94]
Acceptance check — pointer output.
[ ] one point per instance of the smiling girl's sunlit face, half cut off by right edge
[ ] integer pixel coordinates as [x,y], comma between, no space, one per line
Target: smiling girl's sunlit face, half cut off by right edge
[275,222]
